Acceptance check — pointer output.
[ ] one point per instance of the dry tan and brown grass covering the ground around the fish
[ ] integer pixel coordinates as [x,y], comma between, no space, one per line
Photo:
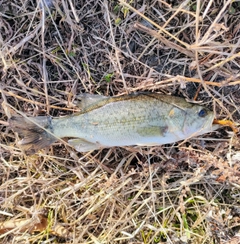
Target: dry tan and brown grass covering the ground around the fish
[183,193]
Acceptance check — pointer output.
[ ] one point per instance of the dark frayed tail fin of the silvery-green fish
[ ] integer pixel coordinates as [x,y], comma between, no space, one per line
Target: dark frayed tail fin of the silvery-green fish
[33,131]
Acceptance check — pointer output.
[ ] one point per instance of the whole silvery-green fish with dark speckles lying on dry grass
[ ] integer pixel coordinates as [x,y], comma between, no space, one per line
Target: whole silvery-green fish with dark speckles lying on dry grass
[142,119]
